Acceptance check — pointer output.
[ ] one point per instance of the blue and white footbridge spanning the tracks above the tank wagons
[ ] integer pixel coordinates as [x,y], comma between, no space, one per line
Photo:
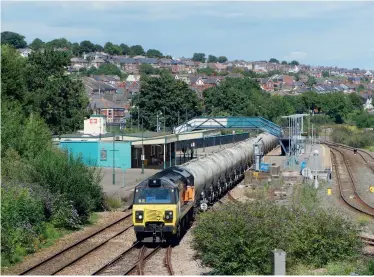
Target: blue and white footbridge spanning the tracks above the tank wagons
[230,122]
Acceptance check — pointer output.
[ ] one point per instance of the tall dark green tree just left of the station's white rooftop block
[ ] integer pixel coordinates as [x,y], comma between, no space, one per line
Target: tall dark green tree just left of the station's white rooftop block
[60,101]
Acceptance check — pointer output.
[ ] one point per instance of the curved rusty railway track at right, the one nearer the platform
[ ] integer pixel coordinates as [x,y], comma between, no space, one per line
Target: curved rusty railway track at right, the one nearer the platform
[346,182]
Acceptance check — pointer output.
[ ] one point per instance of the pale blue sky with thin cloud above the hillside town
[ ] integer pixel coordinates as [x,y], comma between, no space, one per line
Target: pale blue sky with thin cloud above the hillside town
[317,33]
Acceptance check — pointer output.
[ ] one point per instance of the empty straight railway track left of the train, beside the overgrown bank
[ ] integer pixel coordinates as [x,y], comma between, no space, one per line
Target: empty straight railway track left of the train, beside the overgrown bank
[80,249]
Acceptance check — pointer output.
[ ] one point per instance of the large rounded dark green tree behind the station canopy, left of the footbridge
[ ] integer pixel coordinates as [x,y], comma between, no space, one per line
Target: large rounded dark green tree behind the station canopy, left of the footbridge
[164,91]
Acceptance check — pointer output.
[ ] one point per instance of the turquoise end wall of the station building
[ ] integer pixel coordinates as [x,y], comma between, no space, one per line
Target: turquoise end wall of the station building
[100,153]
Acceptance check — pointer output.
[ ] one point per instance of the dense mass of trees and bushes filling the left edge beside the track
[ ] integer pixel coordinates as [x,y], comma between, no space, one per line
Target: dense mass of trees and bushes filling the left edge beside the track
[44,191]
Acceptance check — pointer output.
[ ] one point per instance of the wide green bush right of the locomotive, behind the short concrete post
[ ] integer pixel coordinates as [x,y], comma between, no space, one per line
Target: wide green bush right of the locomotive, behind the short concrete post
[240,238]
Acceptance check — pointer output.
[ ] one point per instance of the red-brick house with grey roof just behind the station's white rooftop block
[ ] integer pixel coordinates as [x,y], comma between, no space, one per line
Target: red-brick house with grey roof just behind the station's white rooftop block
[113,112]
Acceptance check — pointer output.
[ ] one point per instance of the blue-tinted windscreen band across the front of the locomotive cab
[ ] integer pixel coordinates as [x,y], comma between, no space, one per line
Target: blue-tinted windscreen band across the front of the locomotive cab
[154,196]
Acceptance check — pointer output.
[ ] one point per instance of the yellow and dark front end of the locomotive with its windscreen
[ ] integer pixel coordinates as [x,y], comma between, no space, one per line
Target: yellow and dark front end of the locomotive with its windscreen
[155,213]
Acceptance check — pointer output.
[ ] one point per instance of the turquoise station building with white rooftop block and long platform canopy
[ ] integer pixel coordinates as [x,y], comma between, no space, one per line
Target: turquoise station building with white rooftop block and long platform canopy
[99,148]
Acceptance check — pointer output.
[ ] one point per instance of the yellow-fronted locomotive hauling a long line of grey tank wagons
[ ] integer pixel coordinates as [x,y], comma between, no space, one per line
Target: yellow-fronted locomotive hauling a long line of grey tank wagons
[166,203]
